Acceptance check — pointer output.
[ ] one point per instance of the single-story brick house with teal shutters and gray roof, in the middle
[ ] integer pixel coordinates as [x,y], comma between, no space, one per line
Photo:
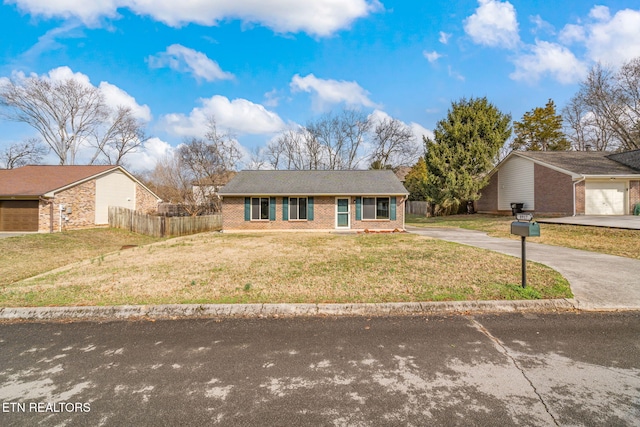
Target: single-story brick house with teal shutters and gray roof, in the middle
[314,200]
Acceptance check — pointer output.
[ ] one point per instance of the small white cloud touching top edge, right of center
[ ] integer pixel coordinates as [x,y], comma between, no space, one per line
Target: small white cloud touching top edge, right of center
[493,24]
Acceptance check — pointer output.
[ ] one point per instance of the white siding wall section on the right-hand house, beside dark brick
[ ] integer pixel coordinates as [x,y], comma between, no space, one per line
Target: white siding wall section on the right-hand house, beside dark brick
[516,183]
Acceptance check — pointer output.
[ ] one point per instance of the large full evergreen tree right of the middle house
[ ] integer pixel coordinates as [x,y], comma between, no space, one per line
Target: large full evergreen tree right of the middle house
[465,147]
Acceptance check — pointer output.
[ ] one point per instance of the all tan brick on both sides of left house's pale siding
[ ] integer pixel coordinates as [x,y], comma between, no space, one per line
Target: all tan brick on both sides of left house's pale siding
[81,199]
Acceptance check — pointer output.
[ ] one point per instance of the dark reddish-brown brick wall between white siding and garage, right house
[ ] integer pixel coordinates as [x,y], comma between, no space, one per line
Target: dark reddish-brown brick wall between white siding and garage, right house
[553,191]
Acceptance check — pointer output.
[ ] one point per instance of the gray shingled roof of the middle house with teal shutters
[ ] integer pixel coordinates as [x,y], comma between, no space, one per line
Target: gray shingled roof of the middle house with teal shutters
[309,183]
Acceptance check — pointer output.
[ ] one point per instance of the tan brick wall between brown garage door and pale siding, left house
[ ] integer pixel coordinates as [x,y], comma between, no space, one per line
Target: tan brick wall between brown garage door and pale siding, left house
[82,201]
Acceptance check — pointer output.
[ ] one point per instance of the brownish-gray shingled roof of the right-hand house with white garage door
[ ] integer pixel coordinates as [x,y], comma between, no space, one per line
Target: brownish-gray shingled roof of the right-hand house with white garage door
[582,162]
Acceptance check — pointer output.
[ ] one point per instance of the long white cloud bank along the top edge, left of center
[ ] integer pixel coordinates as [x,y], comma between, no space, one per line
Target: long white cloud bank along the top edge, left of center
[319,17]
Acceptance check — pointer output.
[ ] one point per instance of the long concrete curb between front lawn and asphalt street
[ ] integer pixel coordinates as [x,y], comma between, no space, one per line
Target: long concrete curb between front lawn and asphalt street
[176,311]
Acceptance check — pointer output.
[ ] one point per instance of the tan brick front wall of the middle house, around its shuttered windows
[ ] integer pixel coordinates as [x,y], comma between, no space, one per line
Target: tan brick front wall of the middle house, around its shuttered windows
[324,217]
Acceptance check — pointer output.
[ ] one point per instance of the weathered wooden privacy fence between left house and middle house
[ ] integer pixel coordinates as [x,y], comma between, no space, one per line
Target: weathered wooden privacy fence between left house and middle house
[161,226]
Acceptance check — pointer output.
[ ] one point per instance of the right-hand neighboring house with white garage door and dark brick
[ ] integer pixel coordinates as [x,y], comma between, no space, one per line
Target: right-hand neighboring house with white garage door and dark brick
[564,183]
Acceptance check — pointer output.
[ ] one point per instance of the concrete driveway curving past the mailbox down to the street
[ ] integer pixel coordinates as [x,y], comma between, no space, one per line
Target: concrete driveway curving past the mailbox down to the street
[598,281]
